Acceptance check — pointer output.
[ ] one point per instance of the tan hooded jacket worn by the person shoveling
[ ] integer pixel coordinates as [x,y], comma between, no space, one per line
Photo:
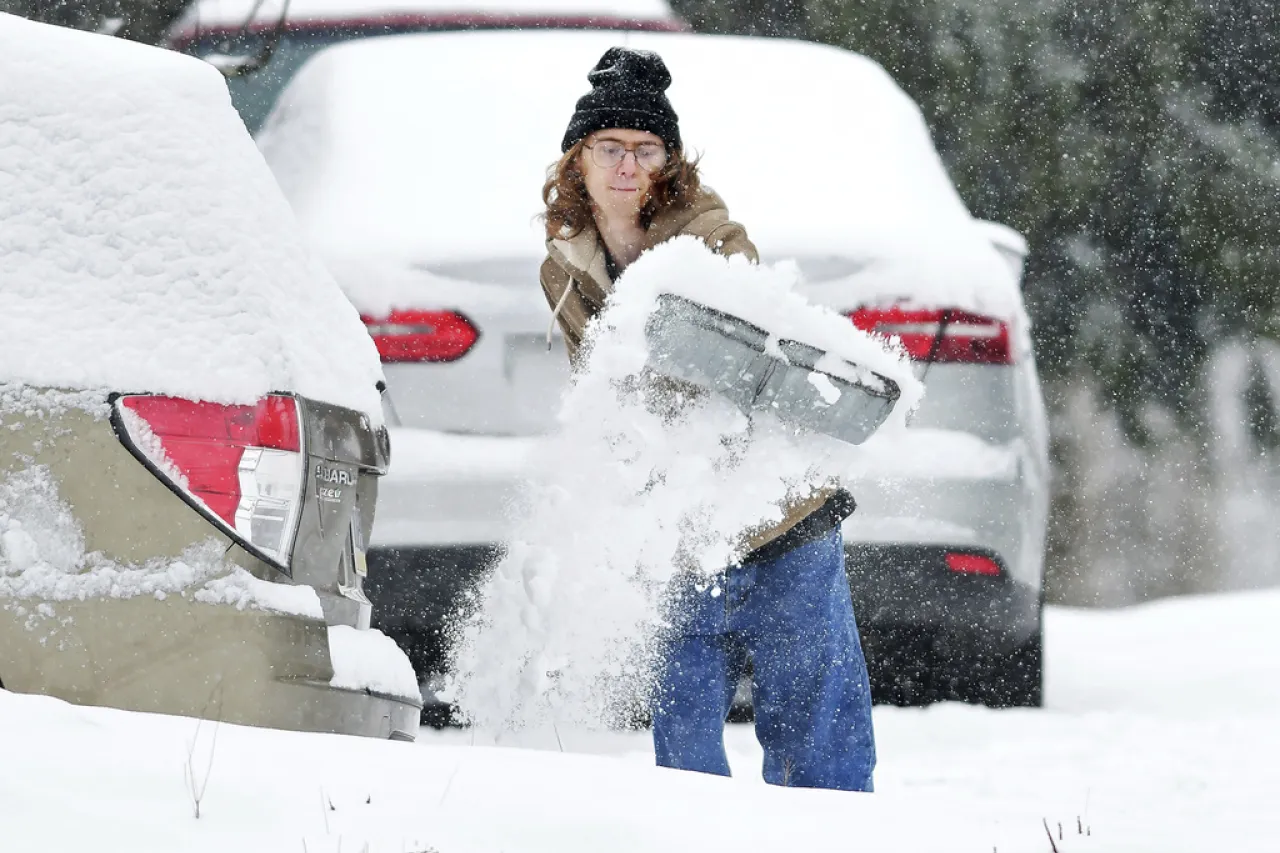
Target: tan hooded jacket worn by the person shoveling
[577,284]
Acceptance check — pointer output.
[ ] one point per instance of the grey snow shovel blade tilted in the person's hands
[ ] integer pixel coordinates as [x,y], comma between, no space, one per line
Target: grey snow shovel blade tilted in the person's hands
[728,355]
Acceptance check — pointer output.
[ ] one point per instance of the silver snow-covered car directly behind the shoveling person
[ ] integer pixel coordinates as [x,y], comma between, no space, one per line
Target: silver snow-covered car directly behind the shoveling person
[433,236]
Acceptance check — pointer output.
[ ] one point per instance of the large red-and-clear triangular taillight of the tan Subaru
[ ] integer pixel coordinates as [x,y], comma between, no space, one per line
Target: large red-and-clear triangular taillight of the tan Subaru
[243,464]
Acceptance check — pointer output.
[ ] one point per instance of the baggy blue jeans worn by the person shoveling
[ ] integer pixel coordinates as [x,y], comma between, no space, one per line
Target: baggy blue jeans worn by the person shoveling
[794,621]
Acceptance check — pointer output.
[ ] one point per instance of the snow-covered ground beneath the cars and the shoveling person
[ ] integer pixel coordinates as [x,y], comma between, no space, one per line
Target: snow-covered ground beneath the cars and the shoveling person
[1160,735]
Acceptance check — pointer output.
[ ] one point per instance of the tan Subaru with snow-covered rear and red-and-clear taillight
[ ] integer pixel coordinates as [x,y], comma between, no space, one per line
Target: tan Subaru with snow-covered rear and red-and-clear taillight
[193,430]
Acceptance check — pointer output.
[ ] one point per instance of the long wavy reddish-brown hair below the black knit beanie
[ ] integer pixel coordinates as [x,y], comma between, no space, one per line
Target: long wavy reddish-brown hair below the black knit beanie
[569,207]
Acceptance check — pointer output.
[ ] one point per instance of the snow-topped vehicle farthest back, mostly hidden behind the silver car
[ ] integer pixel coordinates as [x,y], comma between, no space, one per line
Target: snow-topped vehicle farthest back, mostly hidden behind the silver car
[240,34]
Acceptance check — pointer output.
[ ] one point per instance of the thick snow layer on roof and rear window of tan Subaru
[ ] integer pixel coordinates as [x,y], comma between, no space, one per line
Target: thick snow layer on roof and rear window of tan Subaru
[144,244]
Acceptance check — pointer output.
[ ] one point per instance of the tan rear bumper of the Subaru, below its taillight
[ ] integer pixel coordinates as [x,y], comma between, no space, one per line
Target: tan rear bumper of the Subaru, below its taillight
[181,658]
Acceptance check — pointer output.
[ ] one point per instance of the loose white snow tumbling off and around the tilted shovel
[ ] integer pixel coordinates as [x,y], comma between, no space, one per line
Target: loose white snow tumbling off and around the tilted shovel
[623,496]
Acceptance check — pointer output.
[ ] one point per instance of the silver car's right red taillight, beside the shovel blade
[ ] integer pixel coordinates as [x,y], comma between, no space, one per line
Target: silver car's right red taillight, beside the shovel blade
[968,339]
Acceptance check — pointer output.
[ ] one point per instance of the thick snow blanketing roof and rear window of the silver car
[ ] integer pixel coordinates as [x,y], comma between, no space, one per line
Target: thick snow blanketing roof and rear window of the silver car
[432,148]
